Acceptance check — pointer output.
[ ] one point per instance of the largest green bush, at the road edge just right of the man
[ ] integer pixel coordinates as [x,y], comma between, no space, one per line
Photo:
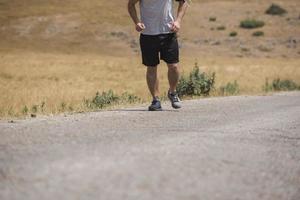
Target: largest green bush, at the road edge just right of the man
[196,83]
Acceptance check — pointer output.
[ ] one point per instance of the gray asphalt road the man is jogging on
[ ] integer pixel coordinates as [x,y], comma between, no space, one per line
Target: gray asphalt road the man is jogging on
[218,148]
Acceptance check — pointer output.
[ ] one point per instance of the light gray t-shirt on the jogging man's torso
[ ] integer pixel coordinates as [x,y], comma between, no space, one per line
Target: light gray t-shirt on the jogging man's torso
[157,15]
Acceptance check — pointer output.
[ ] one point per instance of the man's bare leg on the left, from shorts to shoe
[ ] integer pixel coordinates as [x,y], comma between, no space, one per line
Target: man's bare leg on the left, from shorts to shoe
[152,81]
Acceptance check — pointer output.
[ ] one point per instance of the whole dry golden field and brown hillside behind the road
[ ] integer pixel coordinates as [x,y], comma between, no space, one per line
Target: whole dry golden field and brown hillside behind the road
[60,52]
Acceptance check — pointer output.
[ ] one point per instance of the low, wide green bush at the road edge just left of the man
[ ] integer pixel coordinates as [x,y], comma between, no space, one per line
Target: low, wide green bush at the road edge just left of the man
[104,99]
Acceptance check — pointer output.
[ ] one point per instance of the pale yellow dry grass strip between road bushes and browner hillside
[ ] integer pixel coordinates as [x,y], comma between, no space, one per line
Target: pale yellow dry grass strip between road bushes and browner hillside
[28,79]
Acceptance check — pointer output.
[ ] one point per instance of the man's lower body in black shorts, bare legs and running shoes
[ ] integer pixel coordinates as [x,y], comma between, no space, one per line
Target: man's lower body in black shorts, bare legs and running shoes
[155,48]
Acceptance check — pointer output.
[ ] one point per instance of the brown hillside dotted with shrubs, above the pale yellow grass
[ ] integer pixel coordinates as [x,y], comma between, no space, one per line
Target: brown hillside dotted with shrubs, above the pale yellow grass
[104,27]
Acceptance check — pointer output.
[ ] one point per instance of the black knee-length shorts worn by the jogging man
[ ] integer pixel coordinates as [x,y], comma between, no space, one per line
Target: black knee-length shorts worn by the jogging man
[156,47]
